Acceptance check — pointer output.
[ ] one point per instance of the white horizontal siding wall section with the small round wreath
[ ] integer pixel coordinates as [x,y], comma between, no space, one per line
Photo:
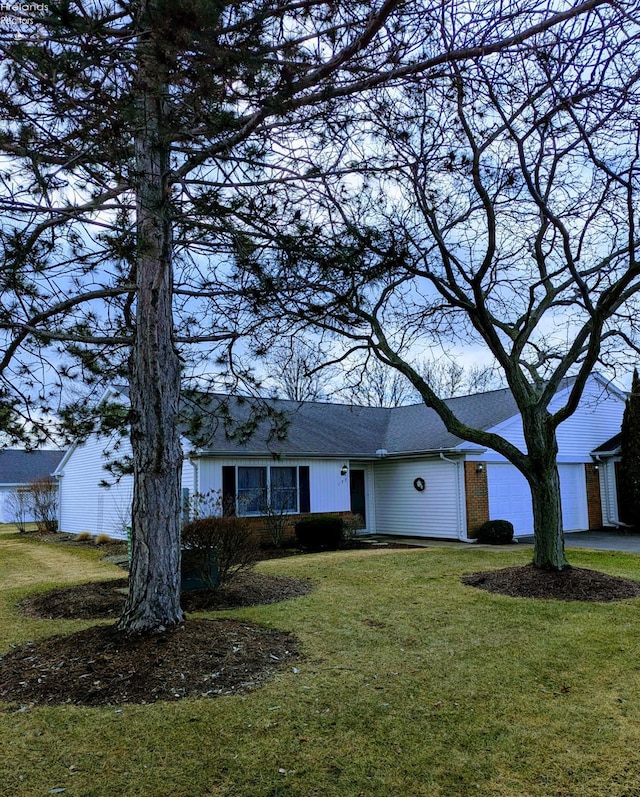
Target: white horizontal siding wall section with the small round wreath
[403,510]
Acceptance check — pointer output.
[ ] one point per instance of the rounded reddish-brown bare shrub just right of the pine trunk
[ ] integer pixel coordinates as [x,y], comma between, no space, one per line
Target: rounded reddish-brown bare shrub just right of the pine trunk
[225,541]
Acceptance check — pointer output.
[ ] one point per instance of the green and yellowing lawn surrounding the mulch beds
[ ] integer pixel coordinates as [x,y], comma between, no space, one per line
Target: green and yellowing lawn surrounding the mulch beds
[410,684]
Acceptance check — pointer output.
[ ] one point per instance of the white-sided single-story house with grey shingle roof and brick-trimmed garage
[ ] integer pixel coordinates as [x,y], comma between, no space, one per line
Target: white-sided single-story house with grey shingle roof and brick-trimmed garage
[398,468]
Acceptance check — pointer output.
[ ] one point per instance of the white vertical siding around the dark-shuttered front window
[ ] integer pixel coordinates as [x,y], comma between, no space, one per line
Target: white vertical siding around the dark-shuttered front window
[329,491]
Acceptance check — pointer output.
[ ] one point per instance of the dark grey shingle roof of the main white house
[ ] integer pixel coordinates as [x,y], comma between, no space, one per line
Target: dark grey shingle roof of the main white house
[318,428]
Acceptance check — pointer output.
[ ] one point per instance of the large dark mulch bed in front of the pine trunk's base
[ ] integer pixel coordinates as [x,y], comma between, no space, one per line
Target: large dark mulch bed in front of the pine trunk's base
[99,666]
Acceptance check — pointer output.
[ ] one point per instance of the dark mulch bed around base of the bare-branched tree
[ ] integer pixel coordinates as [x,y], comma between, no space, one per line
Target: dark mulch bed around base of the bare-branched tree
[571,584]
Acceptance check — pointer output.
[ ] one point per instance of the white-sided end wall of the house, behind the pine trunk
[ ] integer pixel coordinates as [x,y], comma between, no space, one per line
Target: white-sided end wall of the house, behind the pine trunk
[85,505]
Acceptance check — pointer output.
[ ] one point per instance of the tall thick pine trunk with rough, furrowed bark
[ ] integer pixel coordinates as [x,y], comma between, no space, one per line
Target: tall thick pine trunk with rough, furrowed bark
[153,603]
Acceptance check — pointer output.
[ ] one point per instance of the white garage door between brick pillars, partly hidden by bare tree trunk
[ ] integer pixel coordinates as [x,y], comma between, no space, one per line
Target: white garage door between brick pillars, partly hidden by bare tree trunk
[510,497]
